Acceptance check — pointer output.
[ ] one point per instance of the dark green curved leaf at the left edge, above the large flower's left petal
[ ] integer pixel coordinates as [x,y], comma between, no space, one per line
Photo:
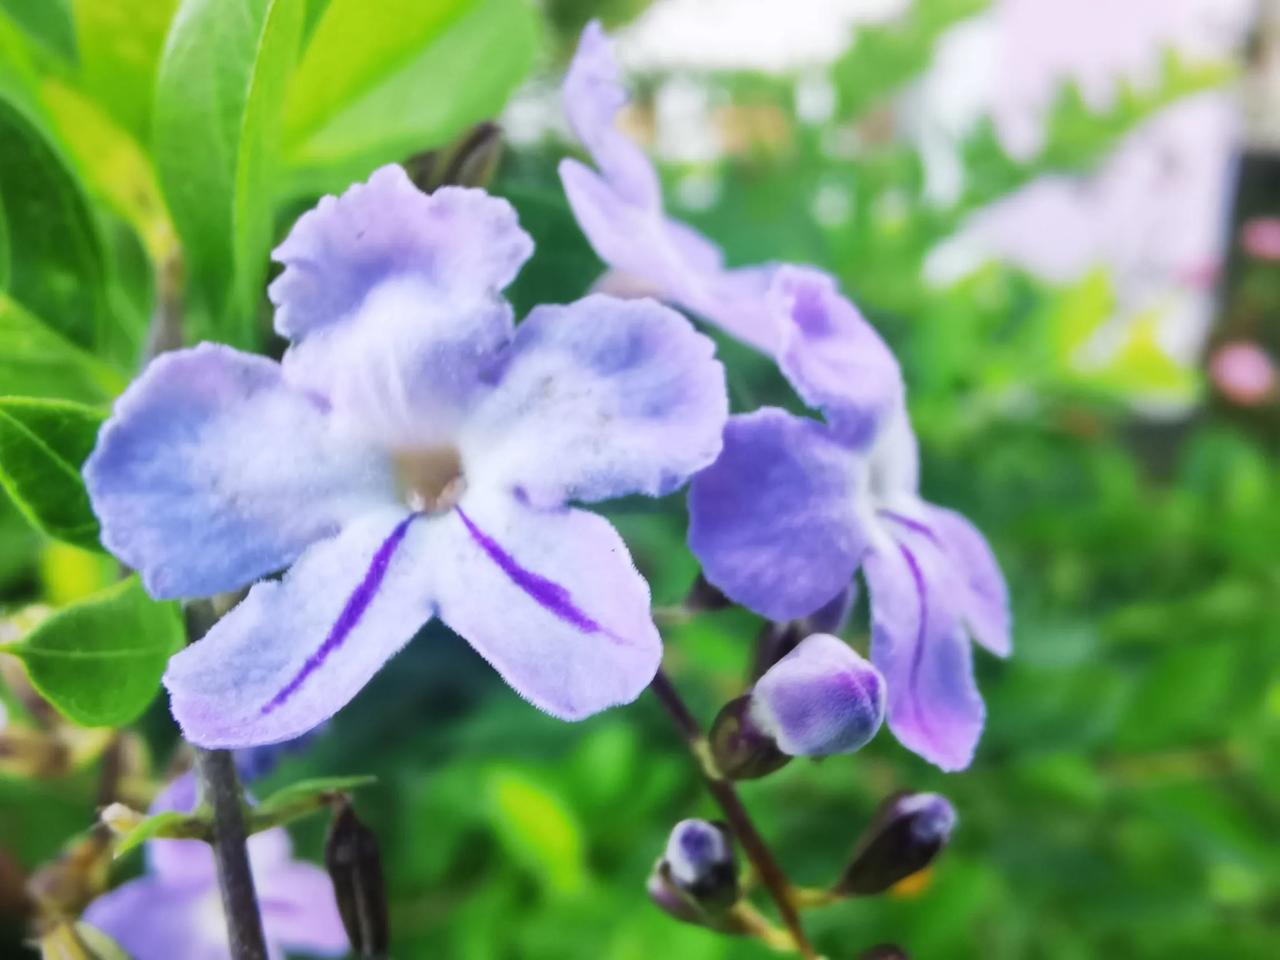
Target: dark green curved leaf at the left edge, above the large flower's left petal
[58,268]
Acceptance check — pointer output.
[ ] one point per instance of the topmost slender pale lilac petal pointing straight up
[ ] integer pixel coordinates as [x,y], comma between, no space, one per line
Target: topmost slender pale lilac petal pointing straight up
[593,98]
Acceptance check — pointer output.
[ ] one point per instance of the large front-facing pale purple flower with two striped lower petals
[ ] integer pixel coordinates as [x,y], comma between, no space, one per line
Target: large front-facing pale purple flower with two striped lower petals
[414,455]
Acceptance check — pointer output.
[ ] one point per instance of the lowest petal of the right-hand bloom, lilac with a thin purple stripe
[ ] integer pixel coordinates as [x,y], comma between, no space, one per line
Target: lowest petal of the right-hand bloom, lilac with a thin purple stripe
[921,647]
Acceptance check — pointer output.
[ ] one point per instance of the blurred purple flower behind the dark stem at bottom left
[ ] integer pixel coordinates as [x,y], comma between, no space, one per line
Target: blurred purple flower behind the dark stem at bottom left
[175,911]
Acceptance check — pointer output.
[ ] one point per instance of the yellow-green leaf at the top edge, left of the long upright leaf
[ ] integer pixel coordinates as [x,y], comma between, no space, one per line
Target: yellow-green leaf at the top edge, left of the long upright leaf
[120,48]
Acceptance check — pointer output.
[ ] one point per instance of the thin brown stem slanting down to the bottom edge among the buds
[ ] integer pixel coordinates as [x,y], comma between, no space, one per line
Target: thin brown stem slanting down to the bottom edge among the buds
[769,870]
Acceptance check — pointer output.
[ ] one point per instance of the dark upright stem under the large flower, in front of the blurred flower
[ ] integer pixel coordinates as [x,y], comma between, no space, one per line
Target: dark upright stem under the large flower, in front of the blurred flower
[221,789]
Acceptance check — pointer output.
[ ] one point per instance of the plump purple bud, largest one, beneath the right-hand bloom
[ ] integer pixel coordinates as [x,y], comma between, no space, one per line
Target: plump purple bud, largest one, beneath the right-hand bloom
[820,700]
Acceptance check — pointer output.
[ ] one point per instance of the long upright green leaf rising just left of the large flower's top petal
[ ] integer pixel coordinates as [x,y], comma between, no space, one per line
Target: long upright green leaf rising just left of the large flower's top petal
[217,120]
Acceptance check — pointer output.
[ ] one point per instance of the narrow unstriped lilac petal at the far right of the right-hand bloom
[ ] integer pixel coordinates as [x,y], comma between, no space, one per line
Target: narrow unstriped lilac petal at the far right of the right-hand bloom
[986,596]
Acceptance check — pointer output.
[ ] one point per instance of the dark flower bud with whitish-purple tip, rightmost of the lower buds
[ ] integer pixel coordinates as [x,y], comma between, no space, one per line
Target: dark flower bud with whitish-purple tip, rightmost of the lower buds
[904,838]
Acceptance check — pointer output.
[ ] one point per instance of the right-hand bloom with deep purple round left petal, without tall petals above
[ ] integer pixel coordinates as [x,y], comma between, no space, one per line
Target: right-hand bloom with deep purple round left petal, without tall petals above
[794,508]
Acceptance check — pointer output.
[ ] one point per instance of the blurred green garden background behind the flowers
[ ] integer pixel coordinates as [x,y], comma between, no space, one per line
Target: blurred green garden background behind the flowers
[1066,218]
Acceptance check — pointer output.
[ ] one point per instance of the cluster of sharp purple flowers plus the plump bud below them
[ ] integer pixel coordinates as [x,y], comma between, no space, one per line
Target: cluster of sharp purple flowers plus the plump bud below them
[417,454]
